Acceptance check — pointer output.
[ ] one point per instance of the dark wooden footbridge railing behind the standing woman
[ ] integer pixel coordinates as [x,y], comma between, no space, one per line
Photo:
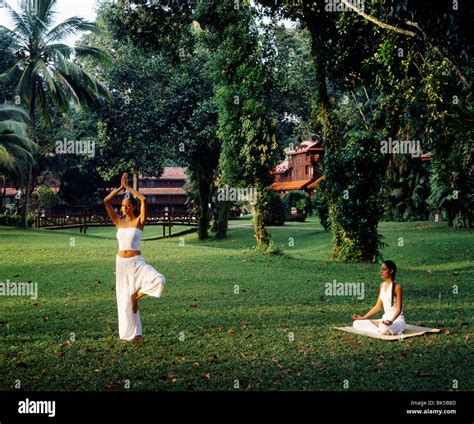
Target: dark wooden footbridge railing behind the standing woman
[85,220]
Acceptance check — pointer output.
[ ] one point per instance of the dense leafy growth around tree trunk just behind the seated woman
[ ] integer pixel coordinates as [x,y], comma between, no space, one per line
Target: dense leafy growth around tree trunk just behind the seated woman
[353,182]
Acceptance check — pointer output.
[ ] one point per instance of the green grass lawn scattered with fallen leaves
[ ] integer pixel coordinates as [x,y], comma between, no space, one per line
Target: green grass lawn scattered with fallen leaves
[230,336]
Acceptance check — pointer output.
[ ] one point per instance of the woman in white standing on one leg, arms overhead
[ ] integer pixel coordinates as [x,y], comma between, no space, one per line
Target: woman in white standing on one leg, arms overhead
[134,278]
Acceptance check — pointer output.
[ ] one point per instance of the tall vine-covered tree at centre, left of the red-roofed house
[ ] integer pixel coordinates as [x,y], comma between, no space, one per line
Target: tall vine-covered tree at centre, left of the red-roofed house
[244,72]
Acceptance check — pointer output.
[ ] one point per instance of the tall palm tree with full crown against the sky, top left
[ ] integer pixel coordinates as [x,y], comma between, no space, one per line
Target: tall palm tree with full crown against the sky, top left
[47,73]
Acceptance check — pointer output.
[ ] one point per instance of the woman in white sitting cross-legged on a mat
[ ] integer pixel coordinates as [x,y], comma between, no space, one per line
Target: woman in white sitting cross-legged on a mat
[390,297]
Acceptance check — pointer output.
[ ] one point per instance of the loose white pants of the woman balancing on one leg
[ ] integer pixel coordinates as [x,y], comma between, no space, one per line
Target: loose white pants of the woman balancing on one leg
[132,275]
